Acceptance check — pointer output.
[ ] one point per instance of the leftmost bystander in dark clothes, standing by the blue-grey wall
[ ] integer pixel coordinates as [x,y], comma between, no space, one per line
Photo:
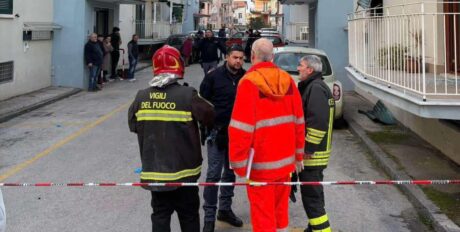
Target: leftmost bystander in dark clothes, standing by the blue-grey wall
[94,57]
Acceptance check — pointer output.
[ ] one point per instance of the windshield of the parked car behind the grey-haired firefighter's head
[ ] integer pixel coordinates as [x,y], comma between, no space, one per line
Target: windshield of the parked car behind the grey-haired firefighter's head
[288,61]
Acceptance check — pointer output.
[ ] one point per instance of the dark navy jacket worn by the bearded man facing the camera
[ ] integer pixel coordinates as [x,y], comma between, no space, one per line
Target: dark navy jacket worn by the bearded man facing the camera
[219,87]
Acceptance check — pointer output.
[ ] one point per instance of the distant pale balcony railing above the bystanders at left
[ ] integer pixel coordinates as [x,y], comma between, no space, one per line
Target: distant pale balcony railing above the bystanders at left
[156,30]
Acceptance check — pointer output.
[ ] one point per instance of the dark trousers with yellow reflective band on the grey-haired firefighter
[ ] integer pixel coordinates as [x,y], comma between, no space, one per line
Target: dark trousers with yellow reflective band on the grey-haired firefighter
[313,196]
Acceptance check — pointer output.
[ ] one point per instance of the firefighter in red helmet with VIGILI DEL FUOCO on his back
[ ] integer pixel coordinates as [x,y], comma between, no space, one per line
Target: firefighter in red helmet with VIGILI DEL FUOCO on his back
[164,117]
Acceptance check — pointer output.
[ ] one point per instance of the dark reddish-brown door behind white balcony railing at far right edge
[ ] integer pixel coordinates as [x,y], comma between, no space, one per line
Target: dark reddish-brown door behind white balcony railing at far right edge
[452,10]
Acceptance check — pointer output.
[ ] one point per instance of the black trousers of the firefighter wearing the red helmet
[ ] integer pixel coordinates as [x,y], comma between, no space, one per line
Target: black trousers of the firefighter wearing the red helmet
[185,201]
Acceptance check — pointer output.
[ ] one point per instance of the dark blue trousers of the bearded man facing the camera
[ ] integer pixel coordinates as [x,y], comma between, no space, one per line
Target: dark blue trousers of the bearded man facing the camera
[217,160]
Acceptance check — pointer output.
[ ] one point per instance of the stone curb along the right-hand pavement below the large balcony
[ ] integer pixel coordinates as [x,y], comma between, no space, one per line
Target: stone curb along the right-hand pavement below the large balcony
[441,223]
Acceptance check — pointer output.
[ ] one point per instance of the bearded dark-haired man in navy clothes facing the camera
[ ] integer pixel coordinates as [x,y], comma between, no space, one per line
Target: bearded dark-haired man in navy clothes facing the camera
[219,87]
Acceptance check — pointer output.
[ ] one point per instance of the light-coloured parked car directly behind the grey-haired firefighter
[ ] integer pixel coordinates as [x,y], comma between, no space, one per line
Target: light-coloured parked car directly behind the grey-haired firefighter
[287,58]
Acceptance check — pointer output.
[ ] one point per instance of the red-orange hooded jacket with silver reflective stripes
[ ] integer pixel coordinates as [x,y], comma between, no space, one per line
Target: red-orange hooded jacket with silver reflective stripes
[268,117]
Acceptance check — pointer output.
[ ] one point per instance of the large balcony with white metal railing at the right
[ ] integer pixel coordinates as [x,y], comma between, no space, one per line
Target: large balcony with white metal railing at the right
[408,55]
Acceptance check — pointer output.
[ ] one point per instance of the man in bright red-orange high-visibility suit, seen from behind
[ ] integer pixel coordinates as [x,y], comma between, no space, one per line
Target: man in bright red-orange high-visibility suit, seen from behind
[267,131]
